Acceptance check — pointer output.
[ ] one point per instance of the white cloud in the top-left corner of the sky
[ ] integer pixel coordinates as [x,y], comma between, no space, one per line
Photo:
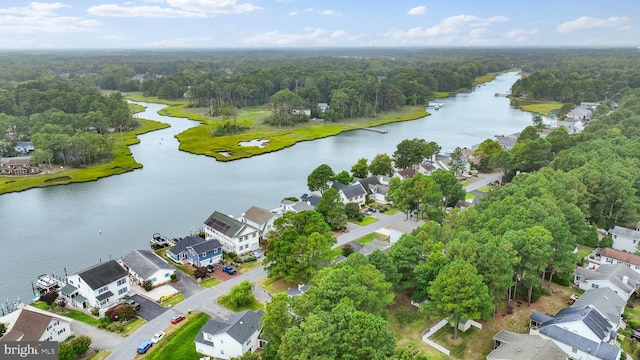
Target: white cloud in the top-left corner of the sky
[42,18]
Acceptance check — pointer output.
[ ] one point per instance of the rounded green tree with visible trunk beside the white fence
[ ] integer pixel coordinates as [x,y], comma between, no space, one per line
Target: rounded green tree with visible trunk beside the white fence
[459,291]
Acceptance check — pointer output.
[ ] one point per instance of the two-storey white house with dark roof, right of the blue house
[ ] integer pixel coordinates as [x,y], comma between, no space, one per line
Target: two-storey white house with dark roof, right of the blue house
[234,235]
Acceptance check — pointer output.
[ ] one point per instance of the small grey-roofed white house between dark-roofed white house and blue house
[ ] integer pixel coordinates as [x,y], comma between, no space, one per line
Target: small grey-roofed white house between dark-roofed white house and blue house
[145,265]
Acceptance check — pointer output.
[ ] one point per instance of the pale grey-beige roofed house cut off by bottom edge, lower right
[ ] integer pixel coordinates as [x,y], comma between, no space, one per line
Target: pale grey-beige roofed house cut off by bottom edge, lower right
[508,345]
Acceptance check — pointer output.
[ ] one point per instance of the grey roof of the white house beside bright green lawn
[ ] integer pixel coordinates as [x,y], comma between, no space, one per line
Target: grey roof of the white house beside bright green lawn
[240,328]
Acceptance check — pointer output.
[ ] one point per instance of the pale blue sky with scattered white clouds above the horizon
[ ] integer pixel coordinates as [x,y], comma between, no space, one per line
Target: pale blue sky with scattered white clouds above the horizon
[158,24]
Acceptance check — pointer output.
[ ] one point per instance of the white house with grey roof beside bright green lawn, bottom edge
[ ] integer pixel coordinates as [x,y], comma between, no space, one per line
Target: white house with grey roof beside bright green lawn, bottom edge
[225,340]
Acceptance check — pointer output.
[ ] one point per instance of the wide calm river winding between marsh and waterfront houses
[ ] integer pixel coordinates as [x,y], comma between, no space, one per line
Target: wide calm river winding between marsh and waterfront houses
[75,226]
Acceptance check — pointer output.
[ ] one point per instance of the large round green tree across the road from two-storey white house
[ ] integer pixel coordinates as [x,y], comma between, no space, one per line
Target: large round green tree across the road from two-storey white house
[298,245]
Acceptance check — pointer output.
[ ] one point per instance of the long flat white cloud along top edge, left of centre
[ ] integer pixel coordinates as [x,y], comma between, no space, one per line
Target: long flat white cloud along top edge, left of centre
[175,9]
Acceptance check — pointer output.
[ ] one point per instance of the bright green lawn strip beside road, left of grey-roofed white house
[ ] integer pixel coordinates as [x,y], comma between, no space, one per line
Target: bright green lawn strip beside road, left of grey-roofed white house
[179,341]
